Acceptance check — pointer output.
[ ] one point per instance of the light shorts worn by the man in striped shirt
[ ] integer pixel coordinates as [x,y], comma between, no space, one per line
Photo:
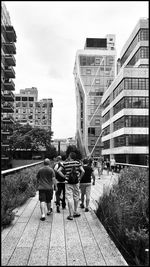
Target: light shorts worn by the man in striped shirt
[72,190]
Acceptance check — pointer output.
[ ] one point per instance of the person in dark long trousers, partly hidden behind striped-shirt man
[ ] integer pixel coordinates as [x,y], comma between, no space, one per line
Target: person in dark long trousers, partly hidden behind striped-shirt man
[60,186]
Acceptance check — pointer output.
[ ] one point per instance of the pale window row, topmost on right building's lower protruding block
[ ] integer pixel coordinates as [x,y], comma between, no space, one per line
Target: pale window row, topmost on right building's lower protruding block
[131,84]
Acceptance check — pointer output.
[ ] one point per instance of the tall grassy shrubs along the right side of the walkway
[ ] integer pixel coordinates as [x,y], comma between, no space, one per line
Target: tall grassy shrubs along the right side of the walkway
[125,211]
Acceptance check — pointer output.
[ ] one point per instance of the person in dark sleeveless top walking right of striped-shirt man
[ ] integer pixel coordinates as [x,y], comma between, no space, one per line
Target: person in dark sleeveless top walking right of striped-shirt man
[85,184]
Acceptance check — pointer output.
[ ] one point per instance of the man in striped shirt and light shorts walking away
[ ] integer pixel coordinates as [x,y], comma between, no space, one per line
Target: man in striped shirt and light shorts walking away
[73,174]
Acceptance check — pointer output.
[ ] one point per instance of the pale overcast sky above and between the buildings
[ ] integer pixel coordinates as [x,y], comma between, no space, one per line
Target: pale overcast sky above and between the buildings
[49,33]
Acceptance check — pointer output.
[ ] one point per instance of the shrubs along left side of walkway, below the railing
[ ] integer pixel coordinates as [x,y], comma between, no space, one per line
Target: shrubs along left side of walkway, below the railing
[16,188]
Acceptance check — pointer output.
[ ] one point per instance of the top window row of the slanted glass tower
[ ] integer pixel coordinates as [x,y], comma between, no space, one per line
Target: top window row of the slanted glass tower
[95,60]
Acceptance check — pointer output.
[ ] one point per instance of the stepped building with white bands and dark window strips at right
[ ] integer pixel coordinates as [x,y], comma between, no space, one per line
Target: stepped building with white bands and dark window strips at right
[126,102]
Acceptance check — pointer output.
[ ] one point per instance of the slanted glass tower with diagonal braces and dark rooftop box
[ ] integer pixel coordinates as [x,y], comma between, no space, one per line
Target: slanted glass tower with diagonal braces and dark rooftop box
[94,71]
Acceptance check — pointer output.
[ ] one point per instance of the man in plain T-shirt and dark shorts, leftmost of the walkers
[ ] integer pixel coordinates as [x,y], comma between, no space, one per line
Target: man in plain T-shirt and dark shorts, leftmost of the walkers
[45,185]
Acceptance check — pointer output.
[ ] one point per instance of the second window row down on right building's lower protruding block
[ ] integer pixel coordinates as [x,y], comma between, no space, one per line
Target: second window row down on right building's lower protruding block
[131,102]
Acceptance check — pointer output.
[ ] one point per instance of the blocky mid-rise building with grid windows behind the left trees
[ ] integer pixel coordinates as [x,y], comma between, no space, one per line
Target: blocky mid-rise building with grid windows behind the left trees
[27,109]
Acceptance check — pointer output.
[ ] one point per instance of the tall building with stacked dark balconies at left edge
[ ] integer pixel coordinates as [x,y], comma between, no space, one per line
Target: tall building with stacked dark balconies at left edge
[8,62]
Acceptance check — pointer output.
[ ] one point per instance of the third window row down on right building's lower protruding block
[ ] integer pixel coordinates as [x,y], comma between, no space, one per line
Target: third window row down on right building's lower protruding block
[131,121]
